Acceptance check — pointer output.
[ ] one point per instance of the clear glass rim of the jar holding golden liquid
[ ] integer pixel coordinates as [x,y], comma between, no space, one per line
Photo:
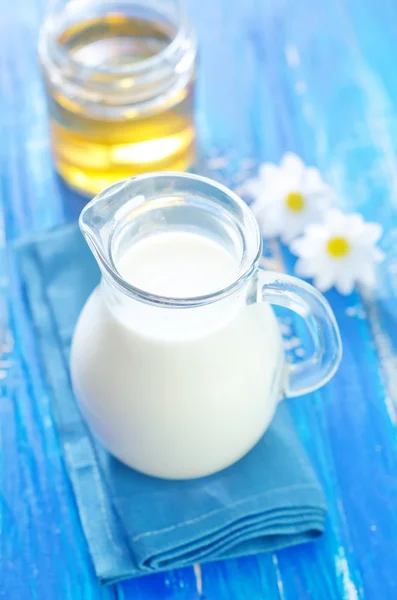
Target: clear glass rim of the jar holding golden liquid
[50,30]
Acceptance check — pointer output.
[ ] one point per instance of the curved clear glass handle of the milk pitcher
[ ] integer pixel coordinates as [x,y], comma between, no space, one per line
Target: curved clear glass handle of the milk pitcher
[306,301]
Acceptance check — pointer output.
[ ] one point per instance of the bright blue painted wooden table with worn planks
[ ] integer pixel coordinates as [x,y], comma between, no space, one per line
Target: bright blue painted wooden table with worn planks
[317,78]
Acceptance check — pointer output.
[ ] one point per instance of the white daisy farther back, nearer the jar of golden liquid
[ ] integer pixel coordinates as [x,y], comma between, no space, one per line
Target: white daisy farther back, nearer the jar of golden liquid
[288,197]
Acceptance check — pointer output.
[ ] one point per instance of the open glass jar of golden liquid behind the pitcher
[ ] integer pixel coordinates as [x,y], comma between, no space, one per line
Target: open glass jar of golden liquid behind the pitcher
[119,76]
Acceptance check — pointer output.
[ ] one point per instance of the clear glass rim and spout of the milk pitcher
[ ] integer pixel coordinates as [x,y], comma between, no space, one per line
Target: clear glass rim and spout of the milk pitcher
[113,277]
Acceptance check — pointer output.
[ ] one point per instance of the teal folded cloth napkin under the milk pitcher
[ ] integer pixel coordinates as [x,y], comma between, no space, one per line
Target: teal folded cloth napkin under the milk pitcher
[135,524]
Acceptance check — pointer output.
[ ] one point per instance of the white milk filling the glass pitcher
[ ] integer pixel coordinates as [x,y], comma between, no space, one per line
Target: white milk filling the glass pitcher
[177,392]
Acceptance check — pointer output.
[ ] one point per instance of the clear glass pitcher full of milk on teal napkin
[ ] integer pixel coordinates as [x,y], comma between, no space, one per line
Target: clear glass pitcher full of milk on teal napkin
[180,382]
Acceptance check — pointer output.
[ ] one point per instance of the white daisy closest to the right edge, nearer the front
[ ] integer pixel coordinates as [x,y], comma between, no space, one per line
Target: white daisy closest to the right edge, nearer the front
[340,252]
